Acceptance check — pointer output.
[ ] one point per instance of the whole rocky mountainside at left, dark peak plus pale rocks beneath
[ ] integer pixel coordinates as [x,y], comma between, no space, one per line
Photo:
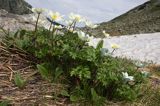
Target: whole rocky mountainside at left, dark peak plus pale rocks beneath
[11,17]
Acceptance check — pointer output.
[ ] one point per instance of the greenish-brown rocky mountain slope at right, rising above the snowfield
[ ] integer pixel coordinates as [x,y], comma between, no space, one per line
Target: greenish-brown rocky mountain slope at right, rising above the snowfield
[142,19]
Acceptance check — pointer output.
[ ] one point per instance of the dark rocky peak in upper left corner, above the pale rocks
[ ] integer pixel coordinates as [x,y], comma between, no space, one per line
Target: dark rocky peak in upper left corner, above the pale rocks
[15,6]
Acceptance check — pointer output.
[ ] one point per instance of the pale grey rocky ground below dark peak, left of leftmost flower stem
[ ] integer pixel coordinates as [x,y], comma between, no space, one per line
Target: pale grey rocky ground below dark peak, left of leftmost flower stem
[14,22]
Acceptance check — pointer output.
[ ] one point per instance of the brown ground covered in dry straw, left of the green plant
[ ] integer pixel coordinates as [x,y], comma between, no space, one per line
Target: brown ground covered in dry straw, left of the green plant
[37,91]
